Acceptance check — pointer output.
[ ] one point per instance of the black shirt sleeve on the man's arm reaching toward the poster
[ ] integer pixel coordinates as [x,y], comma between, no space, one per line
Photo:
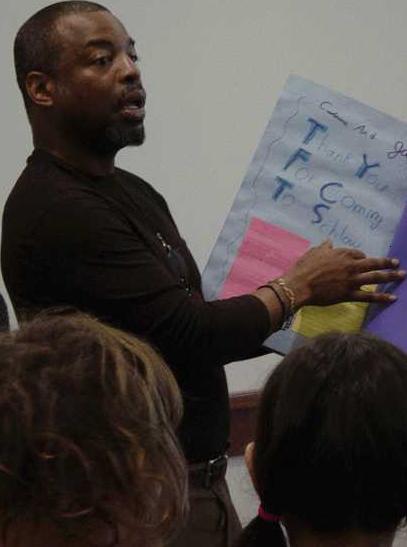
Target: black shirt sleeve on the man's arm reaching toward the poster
[95,261]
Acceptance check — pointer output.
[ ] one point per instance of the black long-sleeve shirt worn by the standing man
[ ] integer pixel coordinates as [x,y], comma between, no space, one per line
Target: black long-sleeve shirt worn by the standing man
[108,245]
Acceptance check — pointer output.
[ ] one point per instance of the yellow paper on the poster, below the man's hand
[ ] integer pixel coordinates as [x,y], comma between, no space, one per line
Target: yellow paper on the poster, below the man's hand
[346,317]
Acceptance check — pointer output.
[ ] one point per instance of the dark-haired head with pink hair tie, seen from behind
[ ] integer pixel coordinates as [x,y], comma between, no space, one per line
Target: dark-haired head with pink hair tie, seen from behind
[330,455]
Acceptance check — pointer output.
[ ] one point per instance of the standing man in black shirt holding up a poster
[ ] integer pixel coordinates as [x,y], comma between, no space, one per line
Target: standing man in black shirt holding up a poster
[79,231]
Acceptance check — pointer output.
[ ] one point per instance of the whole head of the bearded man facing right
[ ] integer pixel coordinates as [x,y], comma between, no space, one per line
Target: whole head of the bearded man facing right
[77,69]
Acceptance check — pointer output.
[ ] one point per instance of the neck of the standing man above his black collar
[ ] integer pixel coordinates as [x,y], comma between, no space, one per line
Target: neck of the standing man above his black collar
[78,157]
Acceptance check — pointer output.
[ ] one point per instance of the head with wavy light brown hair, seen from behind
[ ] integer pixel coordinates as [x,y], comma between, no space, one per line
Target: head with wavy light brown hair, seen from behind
[88,455]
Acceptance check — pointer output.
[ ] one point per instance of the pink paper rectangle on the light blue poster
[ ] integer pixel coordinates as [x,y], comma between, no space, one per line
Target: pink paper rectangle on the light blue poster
[266,252]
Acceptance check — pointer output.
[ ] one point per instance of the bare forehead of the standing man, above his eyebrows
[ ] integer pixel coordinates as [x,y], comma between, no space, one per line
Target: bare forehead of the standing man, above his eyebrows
[77,29]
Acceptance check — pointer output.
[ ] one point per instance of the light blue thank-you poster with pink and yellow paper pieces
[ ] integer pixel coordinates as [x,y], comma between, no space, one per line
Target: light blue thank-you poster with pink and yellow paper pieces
[327,166]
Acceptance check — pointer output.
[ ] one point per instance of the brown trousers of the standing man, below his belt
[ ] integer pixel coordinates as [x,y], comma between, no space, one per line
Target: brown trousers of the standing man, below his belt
[212,521]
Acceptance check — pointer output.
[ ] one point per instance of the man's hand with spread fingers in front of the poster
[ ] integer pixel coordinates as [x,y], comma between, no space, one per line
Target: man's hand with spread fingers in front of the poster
[325,276]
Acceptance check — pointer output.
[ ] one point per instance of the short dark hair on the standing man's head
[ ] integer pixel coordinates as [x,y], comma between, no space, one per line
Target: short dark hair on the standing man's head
[36,46]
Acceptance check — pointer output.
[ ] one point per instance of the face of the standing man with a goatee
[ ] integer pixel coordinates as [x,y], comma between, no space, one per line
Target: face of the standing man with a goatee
[99,98]
